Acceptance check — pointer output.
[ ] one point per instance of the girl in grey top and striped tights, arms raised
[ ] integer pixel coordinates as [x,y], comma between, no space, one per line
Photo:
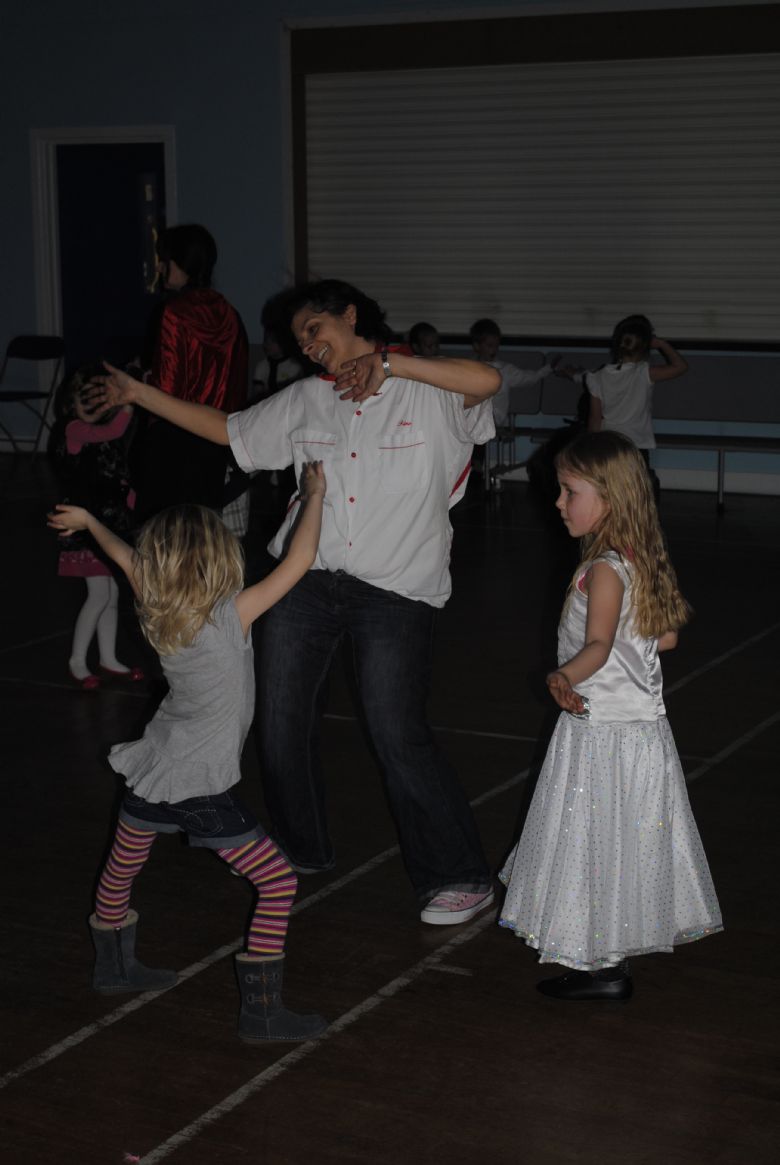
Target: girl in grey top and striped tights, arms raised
[187,575]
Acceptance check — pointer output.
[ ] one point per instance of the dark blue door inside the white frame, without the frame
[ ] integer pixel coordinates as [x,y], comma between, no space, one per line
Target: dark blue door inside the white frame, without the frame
[112,207]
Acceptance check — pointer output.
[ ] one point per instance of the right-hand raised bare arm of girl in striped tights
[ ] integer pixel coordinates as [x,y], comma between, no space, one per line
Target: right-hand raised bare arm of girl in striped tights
[301,555]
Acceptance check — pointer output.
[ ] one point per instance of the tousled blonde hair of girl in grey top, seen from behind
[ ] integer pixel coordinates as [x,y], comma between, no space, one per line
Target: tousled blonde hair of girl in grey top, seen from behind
[188,563]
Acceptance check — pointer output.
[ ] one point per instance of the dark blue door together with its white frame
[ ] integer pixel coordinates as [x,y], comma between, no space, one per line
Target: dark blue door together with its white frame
[100,197]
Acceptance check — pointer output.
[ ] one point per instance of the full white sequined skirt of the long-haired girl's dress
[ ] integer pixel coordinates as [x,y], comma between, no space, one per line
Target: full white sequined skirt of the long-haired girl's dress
[611,863]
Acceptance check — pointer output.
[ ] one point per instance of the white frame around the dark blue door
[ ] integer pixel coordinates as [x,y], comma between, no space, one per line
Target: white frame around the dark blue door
[46,209]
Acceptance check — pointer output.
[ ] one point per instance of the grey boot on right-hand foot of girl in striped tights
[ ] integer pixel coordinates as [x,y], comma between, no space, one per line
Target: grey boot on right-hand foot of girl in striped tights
[264,1016]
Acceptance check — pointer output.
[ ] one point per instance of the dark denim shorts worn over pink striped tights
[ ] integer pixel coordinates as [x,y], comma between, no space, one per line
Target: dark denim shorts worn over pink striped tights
[219,822]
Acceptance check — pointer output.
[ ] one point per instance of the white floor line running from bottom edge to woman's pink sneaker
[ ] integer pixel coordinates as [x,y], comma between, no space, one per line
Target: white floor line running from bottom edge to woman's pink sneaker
[363,1009]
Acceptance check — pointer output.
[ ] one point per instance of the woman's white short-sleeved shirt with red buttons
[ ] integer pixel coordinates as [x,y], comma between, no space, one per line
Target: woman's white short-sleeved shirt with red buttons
[395,465]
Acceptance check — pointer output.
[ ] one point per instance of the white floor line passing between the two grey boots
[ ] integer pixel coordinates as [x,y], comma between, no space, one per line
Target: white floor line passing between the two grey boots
[139,1001]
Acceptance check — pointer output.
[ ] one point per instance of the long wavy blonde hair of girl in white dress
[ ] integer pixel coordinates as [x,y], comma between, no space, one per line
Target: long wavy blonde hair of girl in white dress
[616,469]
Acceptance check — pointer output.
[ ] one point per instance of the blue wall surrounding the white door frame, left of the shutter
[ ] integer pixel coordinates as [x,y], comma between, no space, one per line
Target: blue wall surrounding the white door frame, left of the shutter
[212,70]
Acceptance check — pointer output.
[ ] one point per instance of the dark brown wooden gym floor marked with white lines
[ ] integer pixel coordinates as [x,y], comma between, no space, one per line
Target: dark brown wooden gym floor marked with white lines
[441,1050]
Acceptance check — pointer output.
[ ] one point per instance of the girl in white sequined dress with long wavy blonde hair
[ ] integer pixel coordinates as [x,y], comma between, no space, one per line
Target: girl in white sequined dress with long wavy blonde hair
[611,863]
